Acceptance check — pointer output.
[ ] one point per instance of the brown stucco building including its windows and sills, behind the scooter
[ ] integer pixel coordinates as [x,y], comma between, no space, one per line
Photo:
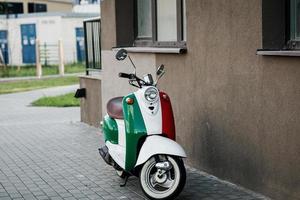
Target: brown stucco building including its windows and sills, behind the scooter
[233,74]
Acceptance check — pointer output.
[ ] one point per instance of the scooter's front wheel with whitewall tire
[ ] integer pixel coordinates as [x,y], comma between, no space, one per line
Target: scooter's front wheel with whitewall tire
[174,177]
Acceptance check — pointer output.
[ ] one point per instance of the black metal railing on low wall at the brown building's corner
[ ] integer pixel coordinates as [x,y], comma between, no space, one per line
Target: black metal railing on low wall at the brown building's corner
[92,38]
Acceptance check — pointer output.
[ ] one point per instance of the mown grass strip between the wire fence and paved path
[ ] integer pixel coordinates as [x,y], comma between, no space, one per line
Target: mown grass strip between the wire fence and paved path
[26,85]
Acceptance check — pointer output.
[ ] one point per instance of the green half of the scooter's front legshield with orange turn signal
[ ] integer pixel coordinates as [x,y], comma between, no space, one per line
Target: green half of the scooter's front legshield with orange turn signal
[135,130]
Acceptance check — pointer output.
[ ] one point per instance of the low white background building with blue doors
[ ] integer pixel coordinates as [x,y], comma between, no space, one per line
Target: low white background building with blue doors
[18,38]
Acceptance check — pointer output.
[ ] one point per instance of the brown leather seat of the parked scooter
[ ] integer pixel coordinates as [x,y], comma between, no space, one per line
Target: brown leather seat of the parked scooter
[115,108]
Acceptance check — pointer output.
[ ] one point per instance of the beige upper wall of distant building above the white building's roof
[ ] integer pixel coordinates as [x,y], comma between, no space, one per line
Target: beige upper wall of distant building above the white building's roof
[52,6]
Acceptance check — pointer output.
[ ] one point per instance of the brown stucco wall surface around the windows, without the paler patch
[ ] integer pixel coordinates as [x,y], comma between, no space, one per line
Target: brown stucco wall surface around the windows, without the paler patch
[237,114]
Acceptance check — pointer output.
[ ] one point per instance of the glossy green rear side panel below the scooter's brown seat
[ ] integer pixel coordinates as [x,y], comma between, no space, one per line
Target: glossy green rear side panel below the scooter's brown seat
[110,130]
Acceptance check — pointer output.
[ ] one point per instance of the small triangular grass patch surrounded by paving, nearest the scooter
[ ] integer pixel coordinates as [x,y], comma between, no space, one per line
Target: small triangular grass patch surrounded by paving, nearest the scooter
[65,100]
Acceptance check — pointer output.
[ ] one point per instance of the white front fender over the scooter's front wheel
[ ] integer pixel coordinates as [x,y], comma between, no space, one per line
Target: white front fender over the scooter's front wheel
[155,145]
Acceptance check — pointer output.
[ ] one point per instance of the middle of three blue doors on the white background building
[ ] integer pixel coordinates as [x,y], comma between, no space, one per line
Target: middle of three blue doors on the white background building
[28,36]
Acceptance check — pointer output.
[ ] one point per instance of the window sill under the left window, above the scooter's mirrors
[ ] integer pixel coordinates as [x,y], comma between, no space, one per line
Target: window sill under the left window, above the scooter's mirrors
[154,50]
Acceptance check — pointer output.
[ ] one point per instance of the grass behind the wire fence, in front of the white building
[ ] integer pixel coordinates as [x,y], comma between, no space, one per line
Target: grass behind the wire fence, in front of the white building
[30,70]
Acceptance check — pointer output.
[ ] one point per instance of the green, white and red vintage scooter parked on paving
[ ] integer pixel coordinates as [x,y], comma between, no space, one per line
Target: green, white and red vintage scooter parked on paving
[139,133]
